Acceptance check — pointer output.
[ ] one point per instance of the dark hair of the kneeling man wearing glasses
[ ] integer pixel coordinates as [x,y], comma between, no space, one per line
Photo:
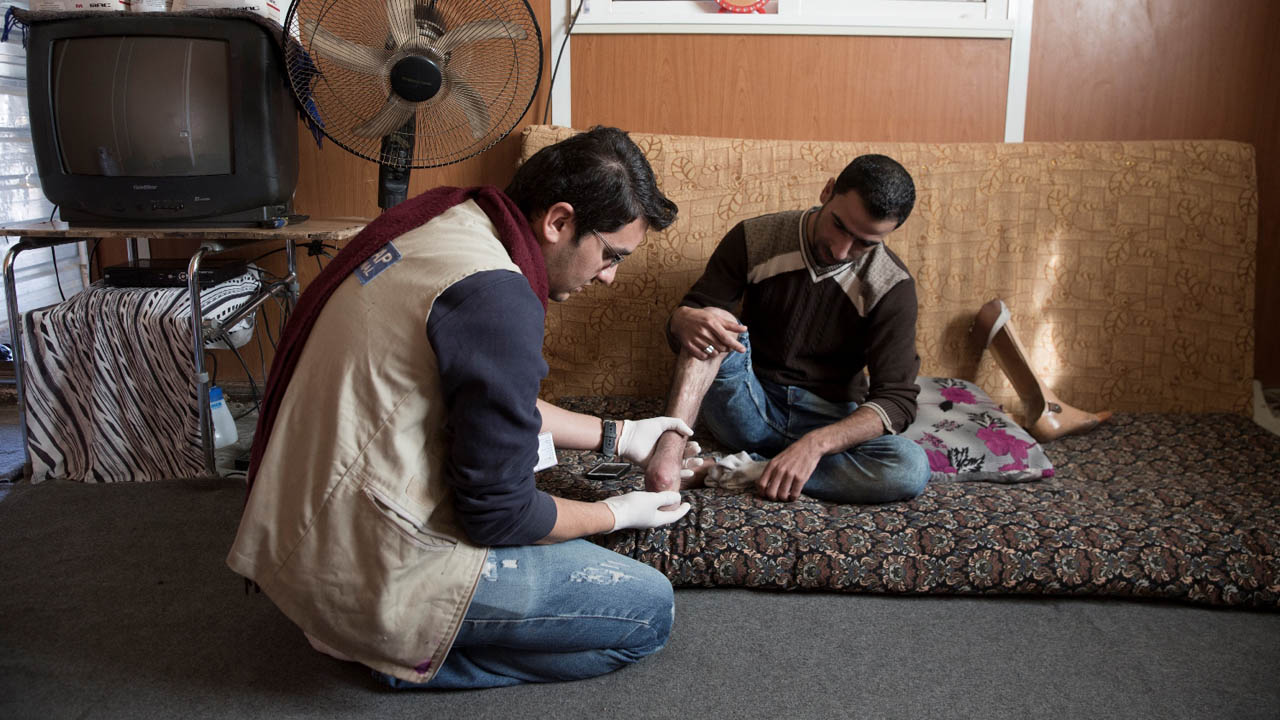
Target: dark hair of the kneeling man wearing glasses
[602,175]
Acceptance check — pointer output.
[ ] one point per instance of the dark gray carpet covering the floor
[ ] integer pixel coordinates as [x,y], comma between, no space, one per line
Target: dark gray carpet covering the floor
[118,604]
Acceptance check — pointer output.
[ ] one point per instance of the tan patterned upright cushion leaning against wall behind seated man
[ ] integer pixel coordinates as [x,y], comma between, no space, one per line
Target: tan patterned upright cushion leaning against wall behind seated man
[1130,267]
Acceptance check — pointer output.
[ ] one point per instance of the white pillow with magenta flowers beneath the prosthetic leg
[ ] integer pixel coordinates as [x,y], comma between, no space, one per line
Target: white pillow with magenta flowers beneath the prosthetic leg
[968,438]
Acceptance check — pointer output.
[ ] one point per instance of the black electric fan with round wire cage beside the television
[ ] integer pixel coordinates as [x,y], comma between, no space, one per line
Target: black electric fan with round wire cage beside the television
[413,84]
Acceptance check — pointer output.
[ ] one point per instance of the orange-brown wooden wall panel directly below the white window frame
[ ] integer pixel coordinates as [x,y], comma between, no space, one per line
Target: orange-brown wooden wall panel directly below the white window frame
[803,88]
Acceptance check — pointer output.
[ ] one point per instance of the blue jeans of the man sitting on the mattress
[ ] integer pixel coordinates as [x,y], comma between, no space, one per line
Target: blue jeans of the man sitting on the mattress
[746,413]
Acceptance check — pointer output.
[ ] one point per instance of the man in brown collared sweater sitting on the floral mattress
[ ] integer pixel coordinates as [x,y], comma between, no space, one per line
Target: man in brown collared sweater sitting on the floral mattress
[824,299]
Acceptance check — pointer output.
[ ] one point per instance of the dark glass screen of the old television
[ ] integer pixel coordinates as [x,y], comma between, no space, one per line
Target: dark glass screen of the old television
[112,122]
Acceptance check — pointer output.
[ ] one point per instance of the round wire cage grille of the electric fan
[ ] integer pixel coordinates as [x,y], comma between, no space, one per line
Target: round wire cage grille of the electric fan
[504,74]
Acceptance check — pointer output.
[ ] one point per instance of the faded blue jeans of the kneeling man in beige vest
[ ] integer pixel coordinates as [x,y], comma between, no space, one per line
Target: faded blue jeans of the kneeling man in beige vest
[555,613]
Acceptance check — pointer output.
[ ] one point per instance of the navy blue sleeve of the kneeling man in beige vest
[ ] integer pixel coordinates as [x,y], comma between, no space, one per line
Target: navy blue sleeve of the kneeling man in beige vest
[487,331]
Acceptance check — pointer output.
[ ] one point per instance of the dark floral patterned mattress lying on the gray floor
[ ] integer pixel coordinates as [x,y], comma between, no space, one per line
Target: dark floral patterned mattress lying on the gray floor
[1182,508]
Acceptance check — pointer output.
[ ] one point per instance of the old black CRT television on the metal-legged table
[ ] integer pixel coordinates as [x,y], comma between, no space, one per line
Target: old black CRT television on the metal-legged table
[162,120]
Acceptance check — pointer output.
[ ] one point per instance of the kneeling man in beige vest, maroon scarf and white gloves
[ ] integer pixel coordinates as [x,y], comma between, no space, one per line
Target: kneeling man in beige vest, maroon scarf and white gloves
[392,512]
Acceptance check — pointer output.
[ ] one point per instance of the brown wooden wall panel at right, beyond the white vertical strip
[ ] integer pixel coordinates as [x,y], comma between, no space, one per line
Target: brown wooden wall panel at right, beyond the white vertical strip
[1104,70]
